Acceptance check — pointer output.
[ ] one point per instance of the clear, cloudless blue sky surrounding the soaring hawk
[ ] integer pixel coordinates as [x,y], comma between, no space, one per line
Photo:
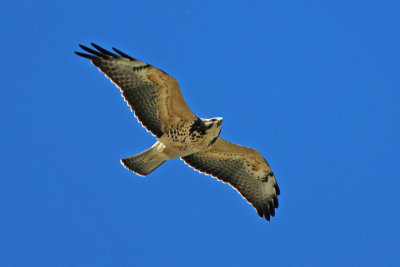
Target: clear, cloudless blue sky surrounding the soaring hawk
[313,85]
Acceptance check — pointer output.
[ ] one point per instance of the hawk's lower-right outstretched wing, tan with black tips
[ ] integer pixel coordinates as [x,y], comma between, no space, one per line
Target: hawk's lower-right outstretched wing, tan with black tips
[243,168]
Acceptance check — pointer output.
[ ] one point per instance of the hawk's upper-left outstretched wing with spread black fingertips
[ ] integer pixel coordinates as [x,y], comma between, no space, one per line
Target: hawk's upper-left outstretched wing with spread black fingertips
[152,94]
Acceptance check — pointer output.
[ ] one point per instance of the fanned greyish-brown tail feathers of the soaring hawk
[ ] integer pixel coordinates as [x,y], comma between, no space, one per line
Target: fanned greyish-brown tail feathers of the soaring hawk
[139,166]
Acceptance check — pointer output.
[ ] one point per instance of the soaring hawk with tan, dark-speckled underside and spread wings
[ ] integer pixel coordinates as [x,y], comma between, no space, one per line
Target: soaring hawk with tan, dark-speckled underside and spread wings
[157,102]
